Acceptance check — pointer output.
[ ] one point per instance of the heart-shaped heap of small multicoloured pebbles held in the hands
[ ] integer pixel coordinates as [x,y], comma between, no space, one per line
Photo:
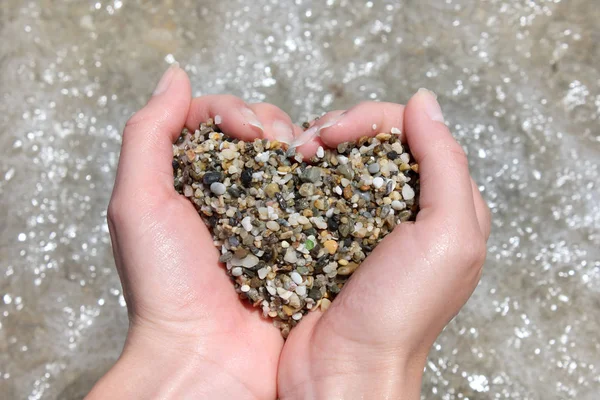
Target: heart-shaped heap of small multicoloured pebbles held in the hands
[291,232]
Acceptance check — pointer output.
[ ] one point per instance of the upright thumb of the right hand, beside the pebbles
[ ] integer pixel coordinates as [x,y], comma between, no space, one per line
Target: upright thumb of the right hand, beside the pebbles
[443,166]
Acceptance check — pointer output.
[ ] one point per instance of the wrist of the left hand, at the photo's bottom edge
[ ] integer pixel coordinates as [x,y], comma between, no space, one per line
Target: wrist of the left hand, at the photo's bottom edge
[166,368]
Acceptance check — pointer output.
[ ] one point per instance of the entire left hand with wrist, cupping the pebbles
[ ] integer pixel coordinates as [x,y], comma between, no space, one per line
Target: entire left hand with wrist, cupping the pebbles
[190,336]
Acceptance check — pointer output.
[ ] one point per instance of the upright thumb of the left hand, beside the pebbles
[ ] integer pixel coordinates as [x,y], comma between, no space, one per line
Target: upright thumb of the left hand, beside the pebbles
[145,163]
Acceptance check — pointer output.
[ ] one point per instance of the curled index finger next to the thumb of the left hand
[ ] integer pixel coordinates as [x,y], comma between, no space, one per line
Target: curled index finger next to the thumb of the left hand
[230,113]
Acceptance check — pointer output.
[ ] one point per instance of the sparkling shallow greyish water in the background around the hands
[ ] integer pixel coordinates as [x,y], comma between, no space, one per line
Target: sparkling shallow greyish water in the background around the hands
[519,84]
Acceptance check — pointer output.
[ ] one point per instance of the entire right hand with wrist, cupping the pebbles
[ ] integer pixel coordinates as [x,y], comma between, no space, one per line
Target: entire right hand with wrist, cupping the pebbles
[374,339]
